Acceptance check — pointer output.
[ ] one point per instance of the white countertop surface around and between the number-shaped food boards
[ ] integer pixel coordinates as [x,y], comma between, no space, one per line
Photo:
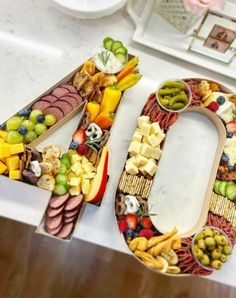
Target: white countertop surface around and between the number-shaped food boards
[38,47]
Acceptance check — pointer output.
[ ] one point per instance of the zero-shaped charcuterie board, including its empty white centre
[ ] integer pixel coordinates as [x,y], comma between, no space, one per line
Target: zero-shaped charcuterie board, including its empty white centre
[162,202]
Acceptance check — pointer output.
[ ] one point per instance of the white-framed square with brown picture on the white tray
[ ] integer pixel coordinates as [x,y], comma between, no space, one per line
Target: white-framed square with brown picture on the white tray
[216,37]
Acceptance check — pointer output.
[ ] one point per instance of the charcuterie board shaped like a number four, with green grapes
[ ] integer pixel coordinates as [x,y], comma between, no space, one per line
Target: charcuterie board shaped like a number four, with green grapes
[41,149]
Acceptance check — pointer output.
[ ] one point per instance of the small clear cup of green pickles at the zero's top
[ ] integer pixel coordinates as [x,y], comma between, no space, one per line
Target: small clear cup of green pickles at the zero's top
[174,95]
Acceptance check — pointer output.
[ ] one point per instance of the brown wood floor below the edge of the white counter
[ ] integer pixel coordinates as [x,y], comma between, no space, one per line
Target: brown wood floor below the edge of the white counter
[34,266]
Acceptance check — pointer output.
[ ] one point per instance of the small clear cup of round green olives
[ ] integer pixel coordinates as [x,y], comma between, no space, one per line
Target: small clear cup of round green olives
[211,248]
